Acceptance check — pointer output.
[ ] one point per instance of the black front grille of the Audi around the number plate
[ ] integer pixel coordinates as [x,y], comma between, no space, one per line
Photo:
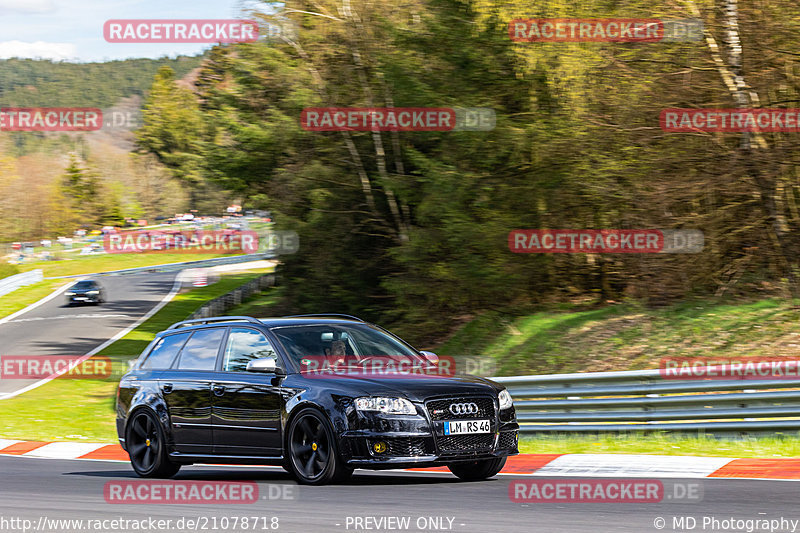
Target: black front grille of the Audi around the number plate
[439,409]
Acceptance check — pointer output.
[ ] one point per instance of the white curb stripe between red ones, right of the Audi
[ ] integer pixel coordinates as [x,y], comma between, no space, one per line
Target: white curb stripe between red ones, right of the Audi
[658,466]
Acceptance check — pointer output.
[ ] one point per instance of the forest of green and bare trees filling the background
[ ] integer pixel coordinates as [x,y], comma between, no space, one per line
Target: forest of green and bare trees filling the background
[412,228]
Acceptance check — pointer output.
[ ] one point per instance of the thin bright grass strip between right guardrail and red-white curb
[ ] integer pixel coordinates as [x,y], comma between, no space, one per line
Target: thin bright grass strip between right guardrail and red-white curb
[771,446]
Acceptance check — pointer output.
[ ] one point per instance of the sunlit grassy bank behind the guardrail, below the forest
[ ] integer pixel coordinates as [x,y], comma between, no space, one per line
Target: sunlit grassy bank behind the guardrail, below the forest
[628,336]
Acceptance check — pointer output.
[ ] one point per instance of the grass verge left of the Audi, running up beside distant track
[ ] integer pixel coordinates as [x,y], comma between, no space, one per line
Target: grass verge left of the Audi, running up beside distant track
[83,409]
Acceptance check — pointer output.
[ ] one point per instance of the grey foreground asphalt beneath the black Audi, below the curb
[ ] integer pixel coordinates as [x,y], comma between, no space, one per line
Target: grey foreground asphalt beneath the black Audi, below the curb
[59,489]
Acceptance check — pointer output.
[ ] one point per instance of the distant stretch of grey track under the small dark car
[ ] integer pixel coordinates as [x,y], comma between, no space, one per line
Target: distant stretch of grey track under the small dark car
[54,328]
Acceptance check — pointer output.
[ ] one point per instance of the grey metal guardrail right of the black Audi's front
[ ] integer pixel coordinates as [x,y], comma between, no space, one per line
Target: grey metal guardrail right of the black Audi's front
[645,400]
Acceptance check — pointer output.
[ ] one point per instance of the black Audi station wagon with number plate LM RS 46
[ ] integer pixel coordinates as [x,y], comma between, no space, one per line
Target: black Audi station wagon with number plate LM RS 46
[241,390]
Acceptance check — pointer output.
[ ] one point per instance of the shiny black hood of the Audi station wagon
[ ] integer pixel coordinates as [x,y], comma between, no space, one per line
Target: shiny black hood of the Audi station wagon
[413,388]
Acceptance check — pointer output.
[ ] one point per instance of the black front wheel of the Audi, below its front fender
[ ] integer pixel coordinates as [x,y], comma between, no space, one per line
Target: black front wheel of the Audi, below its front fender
[312,454]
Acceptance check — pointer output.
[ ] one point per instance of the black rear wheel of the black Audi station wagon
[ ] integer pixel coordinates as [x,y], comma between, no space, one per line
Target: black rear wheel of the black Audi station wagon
[147,447]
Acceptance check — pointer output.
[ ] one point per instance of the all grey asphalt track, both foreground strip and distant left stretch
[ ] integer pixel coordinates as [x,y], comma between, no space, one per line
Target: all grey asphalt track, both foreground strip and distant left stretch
[36,493]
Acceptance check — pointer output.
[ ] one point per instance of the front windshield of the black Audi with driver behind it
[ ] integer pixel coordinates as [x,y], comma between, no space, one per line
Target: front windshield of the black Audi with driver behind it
[358,341]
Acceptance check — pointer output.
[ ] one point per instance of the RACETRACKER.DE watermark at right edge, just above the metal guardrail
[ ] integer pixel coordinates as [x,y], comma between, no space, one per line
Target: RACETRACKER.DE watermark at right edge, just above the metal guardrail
[746,368]
